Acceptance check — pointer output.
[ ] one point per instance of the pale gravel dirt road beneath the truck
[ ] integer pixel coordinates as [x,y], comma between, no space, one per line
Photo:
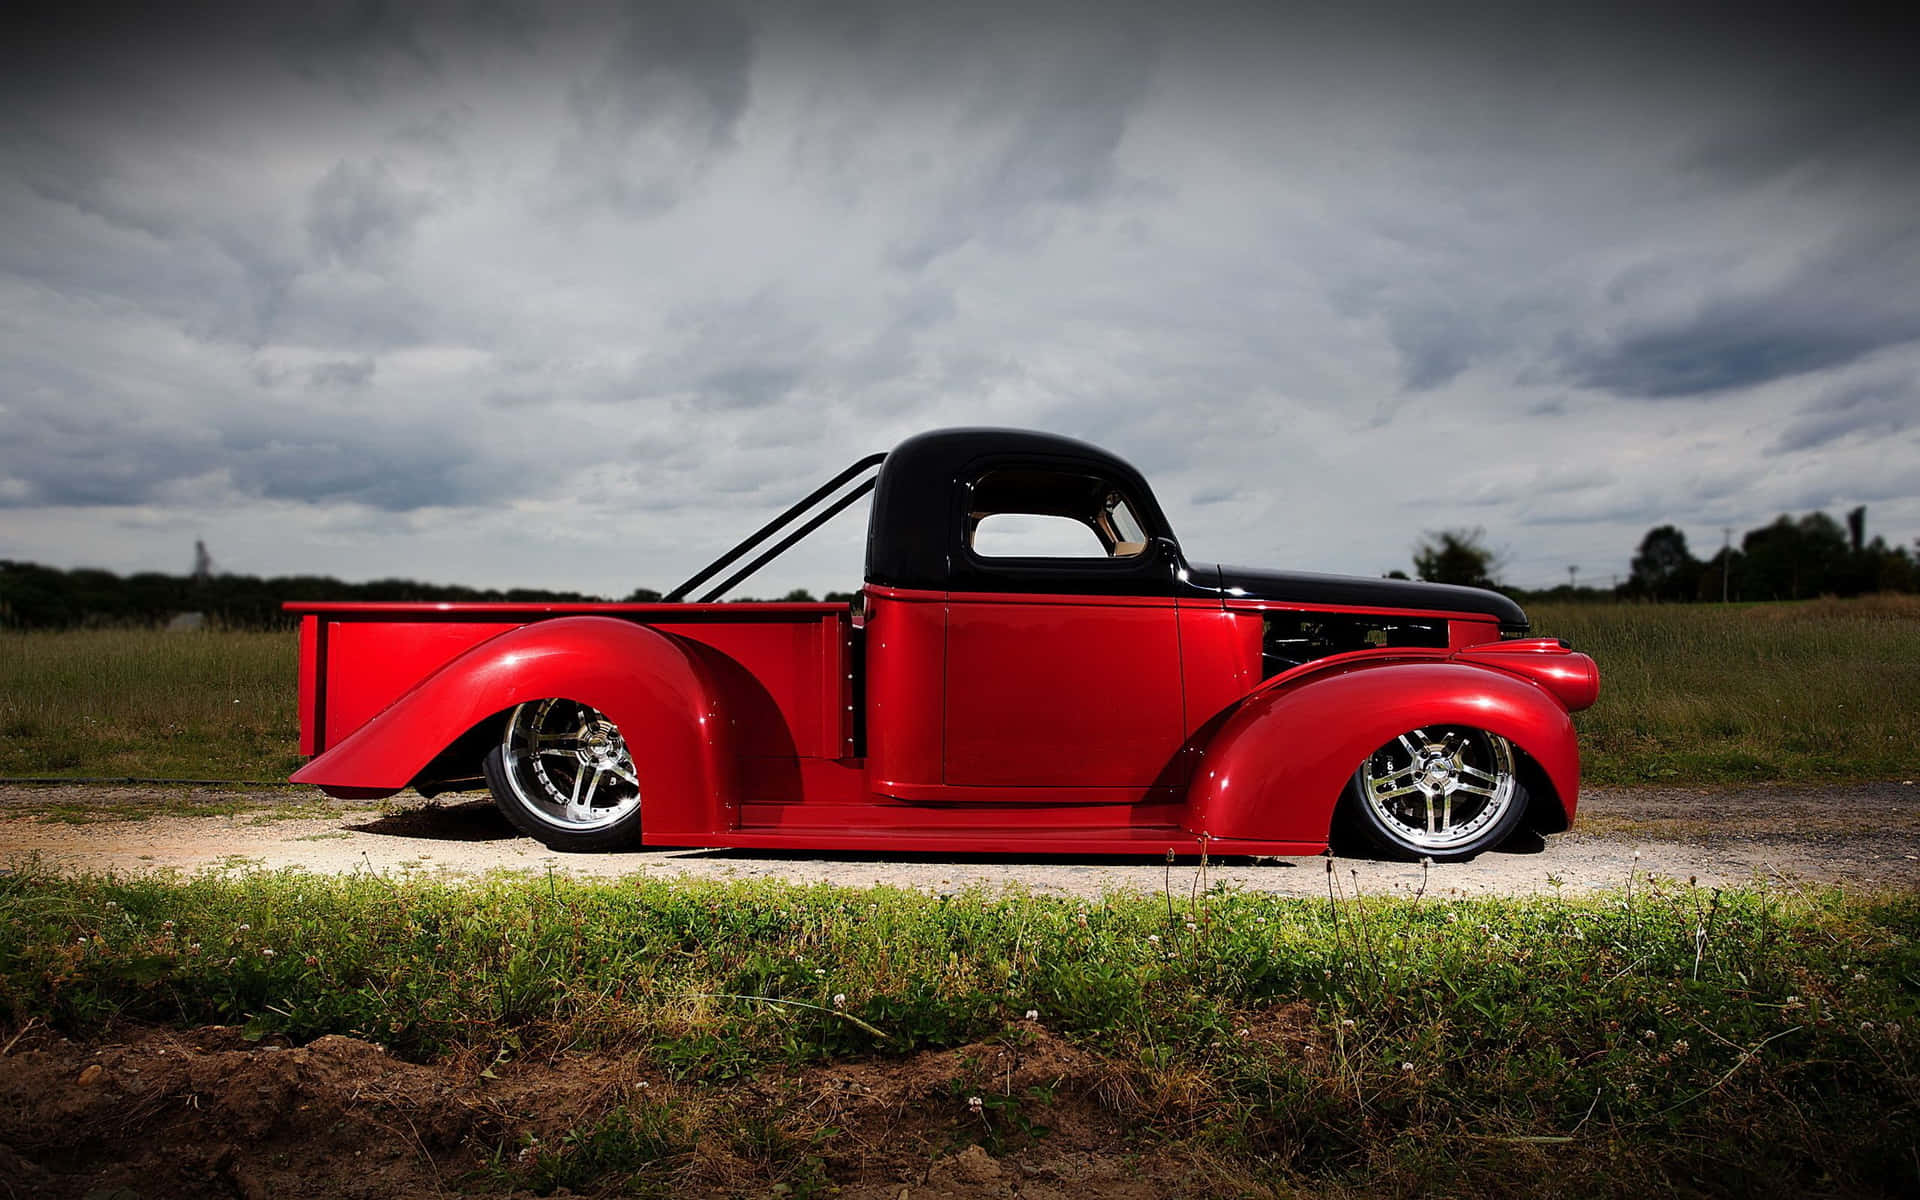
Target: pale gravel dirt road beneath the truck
[1865,836]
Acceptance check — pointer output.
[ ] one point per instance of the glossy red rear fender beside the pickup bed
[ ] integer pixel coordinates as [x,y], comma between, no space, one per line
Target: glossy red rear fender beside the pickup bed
[646,681]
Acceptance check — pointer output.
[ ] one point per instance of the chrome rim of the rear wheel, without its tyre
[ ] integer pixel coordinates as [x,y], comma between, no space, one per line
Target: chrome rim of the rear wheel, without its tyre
[567,767]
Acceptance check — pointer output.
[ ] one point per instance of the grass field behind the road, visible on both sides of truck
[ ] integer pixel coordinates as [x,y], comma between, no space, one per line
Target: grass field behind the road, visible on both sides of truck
[1691,694]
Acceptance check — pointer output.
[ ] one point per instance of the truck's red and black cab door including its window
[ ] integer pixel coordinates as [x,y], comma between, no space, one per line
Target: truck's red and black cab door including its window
[1063,640]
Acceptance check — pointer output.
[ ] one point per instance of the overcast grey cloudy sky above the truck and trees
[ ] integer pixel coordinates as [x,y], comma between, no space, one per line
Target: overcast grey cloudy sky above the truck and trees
[510,295]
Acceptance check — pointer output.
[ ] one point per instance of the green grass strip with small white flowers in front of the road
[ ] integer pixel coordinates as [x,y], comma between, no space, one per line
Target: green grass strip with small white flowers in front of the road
[1652,1042]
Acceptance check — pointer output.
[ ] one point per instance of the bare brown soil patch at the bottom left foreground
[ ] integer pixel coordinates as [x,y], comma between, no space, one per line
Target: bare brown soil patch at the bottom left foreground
[208,1115]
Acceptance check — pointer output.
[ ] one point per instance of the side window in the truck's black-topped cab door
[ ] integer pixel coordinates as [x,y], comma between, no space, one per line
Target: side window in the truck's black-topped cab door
[1040,514]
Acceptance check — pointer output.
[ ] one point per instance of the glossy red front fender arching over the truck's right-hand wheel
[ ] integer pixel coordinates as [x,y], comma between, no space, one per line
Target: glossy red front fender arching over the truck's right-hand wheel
[1278,767]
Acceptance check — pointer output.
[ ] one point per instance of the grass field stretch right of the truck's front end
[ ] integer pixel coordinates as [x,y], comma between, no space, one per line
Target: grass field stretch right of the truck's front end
[1729,694]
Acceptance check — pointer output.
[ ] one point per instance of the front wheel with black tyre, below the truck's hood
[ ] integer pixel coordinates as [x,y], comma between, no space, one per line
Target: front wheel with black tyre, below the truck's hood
[1445,794]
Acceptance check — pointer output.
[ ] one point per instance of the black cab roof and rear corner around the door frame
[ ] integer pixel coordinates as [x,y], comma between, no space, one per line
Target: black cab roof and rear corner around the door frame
[913,529]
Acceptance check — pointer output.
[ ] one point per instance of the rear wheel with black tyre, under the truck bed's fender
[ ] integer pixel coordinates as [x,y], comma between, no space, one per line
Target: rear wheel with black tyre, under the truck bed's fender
[564,777]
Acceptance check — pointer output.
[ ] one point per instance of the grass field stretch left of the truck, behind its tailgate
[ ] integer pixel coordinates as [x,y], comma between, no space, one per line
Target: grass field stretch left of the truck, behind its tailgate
[145,704]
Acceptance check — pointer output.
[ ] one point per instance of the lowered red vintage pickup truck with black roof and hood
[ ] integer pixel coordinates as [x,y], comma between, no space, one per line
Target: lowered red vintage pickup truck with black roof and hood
[1032,667]
